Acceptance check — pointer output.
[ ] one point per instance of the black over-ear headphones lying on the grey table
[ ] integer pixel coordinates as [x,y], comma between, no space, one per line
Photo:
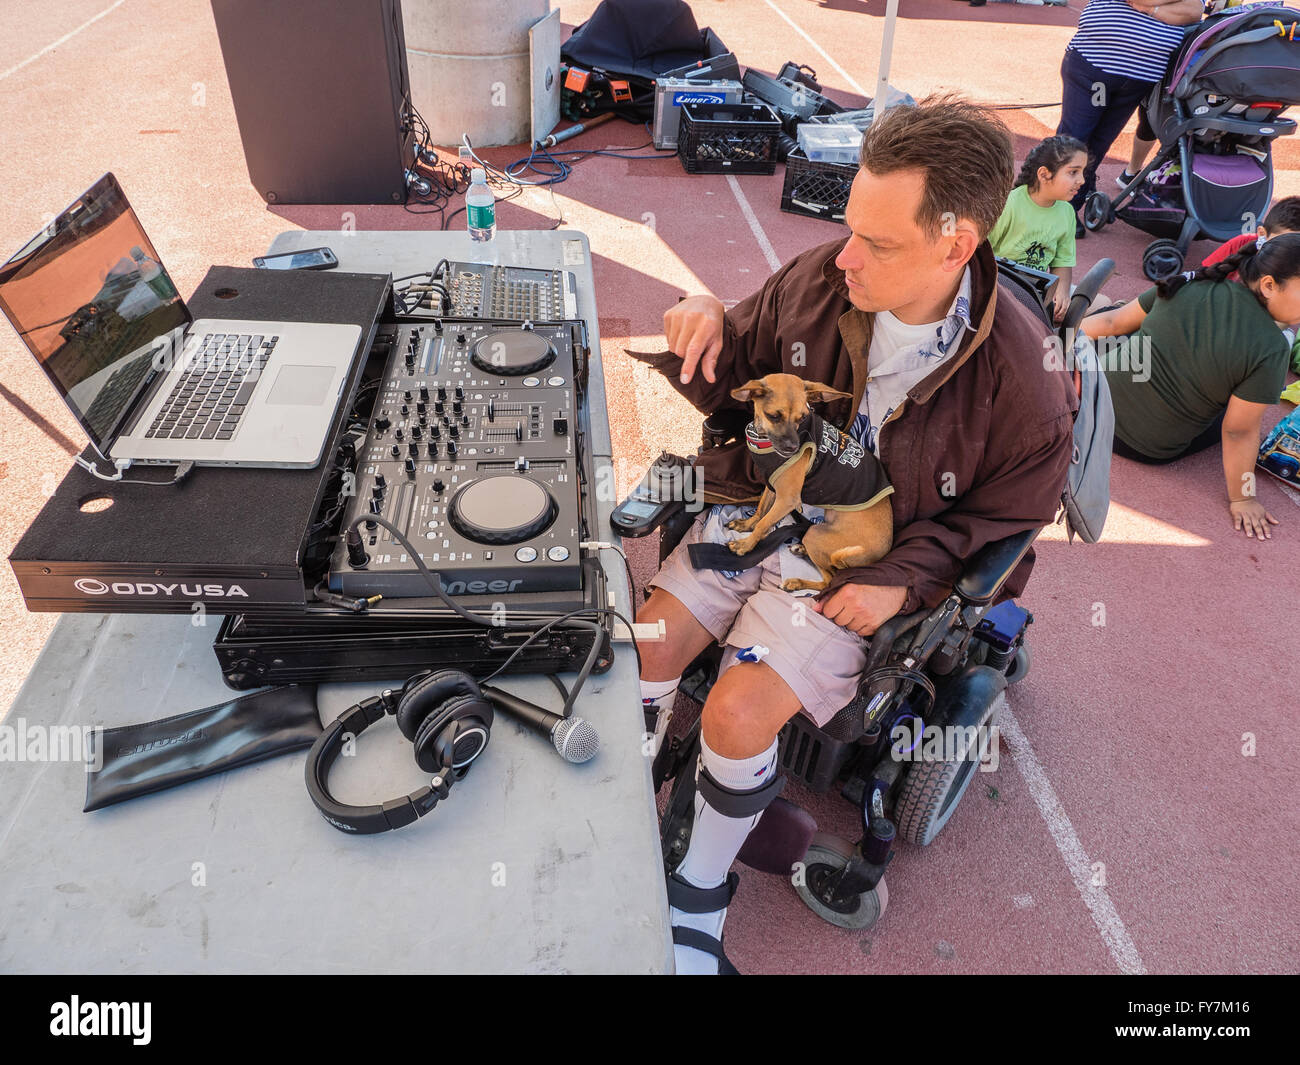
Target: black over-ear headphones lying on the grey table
[443,713]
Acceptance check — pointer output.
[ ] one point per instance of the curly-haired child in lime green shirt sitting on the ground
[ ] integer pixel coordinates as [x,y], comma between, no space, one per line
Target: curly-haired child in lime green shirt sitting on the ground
[1037,228]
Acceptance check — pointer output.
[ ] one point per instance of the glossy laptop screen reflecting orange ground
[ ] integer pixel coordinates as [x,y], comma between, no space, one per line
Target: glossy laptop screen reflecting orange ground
[93,302]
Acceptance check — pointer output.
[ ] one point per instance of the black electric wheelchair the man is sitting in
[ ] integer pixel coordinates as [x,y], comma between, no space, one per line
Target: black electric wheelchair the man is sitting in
[946,668]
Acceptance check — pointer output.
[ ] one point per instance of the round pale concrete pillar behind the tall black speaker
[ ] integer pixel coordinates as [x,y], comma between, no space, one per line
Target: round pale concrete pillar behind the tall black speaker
[470,70]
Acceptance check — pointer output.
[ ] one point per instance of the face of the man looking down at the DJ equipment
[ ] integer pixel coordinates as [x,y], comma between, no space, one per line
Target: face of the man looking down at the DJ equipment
[889,262]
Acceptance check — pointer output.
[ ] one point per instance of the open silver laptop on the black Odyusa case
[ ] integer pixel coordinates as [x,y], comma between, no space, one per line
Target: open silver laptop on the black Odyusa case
[93,302]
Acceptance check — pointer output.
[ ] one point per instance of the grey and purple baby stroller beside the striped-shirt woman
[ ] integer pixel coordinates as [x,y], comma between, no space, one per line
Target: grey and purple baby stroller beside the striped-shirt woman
[1216,116]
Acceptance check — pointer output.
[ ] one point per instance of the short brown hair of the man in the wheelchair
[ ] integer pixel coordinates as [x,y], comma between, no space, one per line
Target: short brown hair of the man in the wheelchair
[964,151]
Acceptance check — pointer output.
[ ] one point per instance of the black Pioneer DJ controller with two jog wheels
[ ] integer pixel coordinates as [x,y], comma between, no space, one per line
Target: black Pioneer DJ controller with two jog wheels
[473,452]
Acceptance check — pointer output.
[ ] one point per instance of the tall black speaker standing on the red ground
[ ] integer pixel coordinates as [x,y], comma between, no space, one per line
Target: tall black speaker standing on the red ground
[320,92]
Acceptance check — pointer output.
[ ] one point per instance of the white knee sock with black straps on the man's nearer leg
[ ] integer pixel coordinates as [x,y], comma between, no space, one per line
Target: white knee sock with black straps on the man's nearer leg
[716,841]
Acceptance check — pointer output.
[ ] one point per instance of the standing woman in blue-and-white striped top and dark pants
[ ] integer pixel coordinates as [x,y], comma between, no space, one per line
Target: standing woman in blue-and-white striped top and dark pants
[1120,51]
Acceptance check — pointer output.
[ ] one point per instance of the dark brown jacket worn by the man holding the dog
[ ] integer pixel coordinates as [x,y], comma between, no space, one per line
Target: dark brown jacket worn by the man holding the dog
[978,452]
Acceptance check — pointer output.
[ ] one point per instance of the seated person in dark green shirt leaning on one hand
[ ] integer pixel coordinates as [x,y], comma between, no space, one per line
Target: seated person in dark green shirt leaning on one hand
[1199,360]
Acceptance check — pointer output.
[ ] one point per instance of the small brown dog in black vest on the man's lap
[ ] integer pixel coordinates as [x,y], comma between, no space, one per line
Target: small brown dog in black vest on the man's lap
[805,460]
